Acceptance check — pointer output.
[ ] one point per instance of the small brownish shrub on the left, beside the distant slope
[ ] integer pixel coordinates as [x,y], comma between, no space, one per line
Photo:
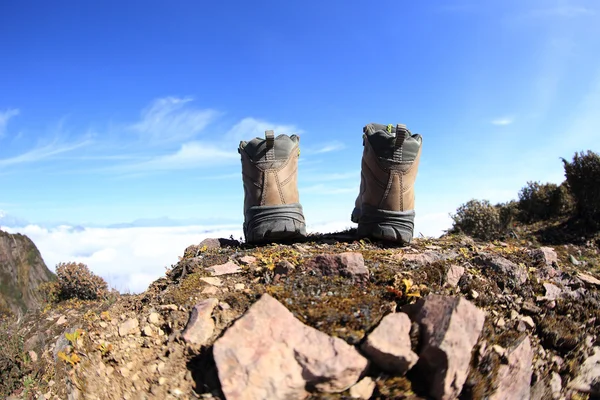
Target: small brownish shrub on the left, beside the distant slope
[75,280]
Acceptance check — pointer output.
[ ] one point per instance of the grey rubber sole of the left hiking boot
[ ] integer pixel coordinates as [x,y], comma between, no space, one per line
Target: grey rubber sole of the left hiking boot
[266,224]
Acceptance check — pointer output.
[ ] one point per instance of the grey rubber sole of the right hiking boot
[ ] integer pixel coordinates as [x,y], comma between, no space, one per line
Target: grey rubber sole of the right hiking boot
[393,226]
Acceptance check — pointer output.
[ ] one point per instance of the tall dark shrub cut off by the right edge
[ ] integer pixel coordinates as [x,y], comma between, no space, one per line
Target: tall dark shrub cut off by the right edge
[583,180]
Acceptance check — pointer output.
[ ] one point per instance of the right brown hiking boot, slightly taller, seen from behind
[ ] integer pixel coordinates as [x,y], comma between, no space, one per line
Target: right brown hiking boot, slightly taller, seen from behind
[385,205]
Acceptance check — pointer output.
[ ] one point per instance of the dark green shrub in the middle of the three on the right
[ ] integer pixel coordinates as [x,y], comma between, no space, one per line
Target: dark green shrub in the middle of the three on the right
[540,202]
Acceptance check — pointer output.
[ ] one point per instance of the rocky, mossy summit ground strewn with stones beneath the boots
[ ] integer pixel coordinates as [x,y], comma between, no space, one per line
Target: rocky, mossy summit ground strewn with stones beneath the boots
[333,318]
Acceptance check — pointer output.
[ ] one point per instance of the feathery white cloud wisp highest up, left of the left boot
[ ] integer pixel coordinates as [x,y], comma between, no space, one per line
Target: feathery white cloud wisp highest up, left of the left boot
[170,119]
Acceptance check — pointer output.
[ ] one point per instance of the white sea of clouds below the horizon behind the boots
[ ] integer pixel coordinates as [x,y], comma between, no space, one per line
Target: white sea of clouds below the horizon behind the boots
[130,258]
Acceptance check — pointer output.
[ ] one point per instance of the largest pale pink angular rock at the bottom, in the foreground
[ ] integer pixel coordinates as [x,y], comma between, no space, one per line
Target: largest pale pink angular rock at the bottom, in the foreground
[269,354]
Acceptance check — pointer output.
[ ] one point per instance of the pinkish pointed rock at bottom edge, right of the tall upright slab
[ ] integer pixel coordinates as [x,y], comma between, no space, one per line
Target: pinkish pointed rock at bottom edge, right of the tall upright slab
[514,379]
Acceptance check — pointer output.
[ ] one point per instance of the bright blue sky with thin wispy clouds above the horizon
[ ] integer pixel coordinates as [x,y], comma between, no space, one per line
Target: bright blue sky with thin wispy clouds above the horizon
[114,111]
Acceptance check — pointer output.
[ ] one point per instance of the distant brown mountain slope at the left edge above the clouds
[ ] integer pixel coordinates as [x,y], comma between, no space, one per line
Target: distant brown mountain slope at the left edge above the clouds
[22,270]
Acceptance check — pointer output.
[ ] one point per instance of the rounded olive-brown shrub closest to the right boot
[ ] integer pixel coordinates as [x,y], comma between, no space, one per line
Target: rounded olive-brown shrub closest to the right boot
[478,219]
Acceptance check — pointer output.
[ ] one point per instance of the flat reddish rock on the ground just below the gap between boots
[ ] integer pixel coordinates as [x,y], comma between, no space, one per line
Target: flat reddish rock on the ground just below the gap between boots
[347,264]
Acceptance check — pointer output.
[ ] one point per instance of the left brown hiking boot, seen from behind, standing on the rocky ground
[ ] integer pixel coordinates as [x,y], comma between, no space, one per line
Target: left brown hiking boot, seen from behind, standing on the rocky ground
[272,210]
